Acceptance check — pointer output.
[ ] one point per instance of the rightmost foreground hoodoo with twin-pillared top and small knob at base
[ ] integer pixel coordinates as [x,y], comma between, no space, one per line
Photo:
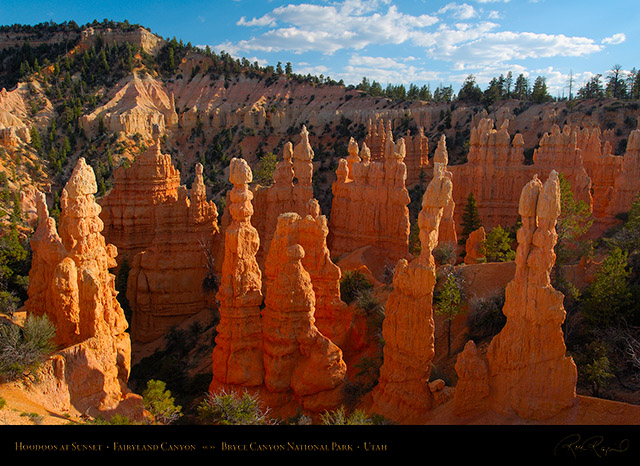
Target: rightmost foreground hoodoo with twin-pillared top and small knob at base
[529,374]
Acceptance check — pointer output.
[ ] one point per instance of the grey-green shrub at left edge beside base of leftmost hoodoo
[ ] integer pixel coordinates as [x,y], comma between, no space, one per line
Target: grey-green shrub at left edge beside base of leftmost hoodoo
[23,349]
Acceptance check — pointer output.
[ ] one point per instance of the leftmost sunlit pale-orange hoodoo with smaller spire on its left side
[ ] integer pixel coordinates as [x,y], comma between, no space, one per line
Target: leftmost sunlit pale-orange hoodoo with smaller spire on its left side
[71,284]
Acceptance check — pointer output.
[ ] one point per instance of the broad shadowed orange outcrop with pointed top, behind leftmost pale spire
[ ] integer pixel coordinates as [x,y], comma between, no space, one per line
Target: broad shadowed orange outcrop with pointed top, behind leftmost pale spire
[128,209]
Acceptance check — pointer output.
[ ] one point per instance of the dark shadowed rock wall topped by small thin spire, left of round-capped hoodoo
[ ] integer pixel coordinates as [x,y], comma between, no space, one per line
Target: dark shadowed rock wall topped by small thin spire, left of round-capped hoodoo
[166,280]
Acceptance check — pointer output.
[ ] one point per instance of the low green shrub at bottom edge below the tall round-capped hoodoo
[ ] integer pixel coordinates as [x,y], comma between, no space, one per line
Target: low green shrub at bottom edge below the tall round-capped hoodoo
[232,409]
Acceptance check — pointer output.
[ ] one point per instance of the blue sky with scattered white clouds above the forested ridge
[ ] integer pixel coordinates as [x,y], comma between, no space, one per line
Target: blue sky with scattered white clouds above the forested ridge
[390,41]
